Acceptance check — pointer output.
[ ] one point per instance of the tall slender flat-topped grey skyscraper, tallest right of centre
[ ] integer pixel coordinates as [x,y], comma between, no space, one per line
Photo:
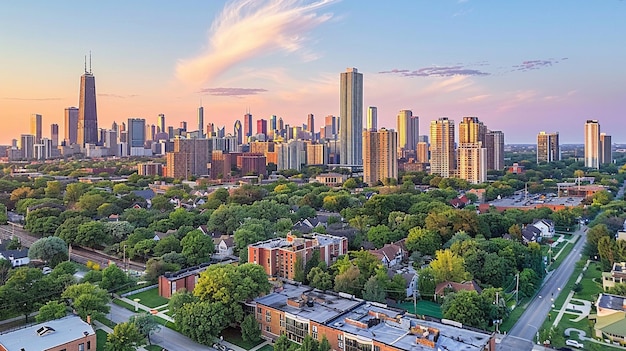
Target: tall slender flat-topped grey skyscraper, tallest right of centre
[351,117]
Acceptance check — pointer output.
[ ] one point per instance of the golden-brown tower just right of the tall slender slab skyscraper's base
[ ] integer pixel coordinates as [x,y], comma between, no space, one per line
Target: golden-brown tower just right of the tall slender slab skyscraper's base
[380,162]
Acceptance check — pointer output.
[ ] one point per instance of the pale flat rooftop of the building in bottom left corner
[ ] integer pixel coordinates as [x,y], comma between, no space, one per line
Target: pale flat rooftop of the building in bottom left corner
[63,330]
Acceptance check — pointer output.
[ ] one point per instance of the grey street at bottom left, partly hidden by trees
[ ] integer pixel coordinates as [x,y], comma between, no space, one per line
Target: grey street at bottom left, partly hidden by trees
[167,338]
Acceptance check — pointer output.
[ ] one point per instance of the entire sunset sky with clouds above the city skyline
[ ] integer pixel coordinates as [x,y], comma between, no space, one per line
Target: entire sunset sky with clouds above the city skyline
[519,66]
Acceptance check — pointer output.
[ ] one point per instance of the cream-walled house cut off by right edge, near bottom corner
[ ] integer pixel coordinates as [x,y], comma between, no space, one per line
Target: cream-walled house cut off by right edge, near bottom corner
[611,318]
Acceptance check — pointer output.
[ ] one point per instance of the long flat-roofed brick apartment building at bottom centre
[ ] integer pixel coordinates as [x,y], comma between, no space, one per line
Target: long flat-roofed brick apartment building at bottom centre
[352,324]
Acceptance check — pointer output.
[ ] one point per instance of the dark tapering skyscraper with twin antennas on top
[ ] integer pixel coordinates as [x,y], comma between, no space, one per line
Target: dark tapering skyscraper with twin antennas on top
[87,112]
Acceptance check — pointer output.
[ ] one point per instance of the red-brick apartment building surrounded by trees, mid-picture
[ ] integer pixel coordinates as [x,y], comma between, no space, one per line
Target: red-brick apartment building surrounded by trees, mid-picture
[278,256]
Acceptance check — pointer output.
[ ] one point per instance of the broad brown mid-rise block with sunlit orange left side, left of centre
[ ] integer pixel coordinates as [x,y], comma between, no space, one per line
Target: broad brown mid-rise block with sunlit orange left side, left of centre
[189,158]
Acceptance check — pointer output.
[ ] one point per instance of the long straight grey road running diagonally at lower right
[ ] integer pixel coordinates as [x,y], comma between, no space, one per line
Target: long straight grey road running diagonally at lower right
[524,332]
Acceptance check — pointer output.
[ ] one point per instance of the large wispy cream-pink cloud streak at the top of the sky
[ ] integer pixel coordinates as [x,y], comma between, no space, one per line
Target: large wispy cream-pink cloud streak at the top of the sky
[247,28]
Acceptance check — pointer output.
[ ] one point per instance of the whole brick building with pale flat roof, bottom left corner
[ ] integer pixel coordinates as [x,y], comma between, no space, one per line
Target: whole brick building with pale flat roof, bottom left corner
[68,333]
